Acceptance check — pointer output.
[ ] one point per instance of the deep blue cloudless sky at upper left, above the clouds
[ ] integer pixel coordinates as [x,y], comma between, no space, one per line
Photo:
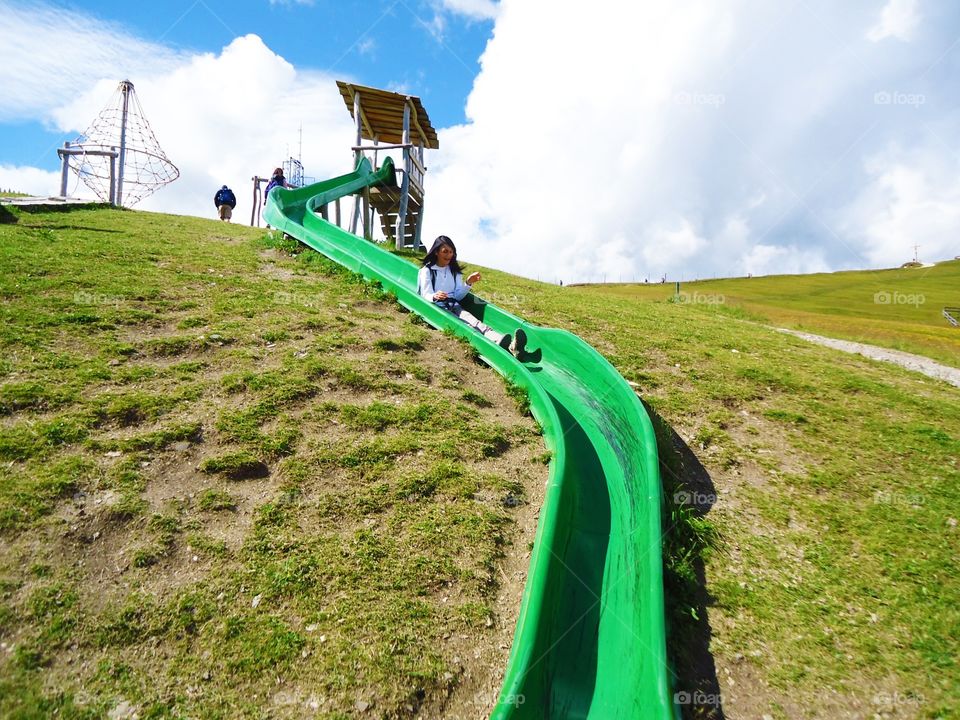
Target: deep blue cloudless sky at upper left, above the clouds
[409,45]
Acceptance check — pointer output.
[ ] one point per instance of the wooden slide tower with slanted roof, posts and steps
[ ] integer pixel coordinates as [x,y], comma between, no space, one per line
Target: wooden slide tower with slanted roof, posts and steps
[391,121]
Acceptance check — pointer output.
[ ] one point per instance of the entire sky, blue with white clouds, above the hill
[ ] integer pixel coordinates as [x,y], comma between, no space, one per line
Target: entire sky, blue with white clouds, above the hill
[626,140]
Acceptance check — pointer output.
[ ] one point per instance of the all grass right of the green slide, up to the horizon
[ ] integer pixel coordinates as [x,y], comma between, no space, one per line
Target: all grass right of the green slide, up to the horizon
[832,481]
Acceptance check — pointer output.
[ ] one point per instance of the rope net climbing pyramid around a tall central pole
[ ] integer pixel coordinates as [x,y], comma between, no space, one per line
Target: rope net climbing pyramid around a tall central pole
[142,167]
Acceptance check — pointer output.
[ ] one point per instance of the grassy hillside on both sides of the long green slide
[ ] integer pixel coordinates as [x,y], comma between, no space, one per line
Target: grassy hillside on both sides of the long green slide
[226,492]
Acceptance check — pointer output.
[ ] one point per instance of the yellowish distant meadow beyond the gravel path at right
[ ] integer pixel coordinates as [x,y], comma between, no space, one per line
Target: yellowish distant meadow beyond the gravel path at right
[899,309]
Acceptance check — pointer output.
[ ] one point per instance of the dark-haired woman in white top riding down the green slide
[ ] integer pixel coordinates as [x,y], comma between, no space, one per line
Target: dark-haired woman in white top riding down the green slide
[441,281]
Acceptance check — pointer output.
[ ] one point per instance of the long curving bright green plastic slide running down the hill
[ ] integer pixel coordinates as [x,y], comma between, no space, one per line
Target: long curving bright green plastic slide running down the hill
[590,639]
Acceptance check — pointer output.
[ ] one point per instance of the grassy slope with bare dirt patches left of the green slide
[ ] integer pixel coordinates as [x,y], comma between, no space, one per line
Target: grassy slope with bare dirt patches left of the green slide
[235,482]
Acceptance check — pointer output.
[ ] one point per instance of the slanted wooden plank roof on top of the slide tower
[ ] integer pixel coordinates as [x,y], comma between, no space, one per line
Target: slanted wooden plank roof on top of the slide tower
[381,115]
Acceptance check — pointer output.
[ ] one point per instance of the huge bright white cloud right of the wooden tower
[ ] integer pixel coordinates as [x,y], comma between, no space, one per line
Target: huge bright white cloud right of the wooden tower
[687,138]
